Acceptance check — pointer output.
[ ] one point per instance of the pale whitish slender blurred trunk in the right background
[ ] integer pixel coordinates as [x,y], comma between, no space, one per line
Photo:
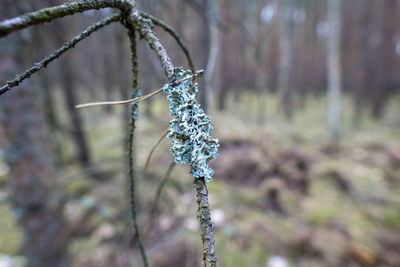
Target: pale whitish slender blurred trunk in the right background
[334,67]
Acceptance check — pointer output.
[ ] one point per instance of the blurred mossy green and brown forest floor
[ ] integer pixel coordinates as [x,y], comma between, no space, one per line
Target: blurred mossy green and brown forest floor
[281,190]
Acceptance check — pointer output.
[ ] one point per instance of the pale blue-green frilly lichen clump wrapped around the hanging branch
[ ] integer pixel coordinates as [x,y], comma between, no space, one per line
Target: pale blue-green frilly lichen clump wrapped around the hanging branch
[190,127]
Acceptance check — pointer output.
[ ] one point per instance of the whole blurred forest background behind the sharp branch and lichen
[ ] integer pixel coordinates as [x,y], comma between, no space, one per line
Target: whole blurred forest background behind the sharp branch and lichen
[304,96]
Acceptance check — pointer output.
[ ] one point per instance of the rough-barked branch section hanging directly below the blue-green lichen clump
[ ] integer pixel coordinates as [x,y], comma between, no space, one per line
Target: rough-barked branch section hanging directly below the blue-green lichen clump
[206,231]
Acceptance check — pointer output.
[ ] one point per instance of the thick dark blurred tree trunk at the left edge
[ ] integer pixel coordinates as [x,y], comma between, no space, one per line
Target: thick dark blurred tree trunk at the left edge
[31,183]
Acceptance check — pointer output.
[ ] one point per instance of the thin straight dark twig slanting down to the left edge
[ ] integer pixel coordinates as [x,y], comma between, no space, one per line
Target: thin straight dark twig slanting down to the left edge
[42,64]
